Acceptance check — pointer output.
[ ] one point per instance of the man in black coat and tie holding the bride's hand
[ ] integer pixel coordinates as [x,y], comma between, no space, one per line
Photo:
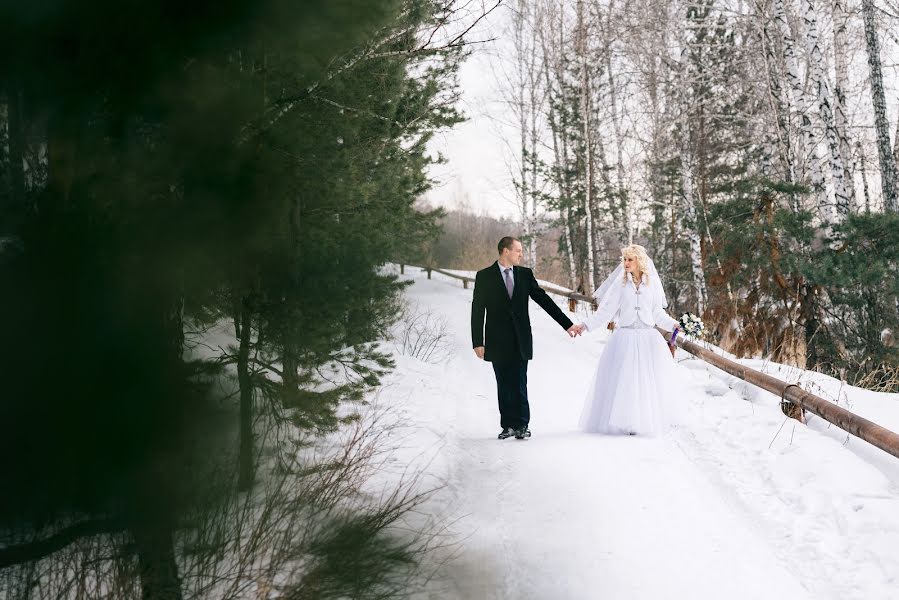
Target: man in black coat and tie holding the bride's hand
[502,290]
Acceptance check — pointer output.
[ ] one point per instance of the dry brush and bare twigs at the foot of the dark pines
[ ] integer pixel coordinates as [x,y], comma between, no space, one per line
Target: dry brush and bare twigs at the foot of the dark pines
[316,525]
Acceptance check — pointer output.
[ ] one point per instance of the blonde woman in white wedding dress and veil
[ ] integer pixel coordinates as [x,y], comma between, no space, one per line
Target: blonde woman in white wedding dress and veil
[636,373]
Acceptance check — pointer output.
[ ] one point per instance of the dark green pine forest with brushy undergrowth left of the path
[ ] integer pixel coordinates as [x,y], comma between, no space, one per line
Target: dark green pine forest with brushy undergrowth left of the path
[167,171]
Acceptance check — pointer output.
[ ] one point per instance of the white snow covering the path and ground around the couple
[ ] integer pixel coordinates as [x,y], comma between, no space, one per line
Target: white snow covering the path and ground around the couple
[737,502]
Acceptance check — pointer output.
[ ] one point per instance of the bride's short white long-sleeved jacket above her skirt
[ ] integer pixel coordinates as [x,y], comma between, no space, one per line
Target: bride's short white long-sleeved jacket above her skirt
[630,306]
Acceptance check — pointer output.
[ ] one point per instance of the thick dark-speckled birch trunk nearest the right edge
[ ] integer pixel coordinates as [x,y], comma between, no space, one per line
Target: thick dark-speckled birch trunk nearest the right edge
[881,127]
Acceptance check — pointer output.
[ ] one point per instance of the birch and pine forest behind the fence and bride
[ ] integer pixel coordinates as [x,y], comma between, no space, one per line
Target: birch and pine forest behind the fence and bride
[748,145]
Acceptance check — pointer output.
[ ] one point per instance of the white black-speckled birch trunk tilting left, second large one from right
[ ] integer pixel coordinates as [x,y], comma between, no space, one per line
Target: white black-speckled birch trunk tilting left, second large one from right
[821,89]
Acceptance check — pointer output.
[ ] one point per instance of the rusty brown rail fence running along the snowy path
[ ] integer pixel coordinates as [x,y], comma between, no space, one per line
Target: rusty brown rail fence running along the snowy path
[791,393]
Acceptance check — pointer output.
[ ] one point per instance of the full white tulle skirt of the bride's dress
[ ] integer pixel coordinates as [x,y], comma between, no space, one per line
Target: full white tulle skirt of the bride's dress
[634,386]
